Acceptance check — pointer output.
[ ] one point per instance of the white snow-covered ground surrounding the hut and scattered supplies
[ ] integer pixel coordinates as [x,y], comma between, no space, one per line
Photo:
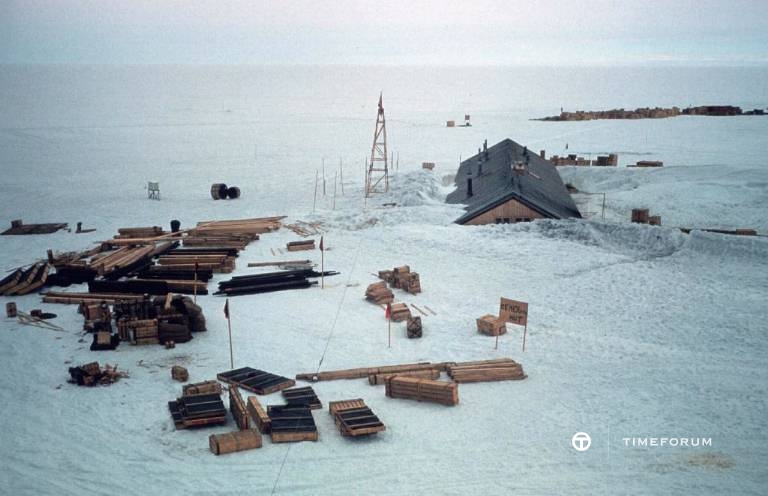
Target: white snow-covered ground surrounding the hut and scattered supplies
[634,331]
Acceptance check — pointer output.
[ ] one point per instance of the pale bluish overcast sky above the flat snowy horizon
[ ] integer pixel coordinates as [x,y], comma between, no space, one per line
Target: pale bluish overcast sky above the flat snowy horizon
[469,32]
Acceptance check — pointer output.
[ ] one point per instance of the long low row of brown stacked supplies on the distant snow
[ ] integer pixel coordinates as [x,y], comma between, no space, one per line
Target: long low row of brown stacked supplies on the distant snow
[651,113]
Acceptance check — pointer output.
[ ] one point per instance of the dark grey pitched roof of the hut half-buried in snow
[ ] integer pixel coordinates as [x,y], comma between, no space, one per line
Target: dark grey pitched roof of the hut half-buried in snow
[539,187]
